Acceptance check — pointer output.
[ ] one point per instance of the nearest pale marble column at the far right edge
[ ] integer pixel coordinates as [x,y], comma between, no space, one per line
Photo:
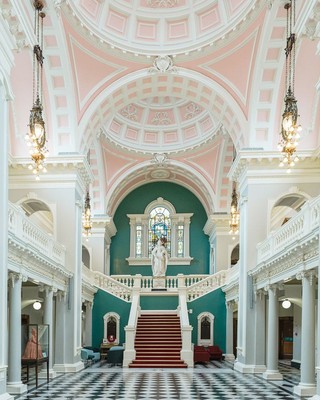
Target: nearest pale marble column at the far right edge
[307,385]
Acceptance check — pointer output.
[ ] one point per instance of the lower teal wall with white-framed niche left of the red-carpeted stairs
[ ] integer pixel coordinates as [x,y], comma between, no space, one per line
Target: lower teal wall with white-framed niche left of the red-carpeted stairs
[104,303]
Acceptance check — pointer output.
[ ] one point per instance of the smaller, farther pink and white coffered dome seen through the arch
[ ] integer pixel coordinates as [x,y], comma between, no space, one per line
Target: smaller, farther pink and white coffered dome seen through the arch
[169,123]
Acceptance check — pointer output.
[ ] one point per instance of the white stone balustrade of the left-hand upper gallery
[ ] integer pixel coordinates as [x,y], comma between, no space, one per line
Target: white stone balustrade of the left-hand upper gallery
[24,231]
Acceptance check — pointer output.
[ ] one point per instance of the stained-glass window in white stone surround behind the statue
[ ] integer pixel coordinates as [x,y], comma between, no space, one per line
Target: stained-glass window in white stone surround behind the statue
[159,220]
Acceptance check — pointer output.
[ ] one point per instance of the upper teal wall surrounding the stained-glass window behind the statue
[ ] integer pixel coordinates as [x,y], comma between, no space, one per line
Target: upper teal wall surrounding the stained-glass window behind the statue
[135,203]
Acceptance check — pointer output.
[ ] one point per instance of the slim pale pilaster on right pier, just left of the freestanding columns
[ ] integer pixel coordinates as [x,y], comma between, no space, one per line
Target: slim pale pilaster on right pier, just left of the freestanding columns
[260,332]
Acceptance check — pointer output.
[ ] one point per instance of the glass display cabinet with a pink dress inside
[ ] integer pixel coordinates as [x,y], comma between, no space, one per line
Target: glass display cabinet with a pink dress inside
[35,348]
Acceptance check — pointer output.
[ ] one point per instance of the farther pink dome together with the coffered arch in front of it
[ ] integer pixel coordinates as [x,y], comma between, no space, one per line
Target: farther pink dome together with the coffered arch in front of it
[151,112]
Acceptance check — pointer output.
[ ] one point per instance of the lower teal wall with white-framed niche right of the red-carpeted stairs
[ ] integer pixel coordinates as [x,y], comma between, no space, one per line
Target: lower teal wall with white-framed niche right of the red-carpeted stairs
[215,304]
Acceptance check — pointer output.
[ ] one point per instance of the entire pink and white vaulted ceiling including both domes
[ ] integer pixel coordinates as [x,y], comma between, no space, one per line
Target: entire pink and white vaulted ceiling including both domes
[226,89]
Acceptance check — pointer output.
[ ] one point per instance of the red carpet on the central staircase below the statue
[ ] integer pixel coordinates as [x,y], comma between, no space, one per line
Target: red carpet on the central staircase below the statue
[158,342]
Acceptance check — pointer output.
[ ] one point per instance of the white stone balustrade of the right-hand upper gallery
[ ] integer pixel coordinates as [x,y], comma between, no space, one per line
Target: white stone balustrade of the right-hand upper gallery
[295,229]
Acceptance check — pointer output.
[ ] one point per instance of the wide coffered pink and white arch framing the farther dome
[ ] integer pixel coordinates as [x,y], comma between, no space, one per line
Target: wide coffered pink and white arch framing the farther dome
[208,93]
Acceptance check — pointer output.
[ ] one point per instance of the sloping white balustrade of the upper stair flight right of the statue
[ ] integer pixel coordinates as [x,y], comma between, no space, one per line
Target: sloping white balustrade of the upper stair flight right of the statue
[207,285]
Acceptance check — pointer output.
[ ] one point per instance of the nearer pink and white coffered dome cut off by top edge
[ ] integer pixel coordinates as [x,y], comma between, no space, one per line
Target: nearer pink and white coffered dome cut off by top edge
[162,26]
